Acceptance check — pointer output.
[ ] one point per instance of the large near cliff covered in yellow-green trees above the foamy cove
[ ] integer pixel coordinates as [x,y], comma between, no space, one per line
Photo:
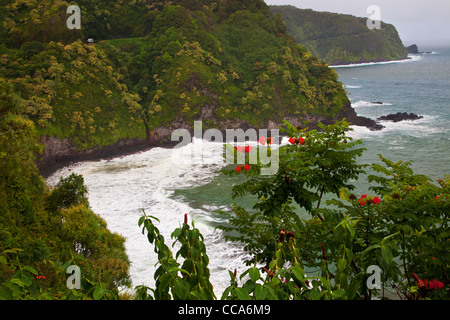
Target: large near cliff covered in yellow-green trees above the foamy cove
[230,64]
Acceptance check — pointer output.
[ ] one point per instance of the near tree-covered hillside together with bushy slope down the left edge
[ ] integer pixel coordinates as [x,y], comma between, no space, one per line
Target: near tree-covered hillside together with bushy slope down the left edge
[153,67]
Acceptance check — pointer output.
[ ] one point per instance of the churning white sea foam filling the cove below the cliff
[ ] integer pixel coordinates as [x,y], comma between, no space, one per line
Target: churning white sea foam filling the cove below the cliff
[120,188]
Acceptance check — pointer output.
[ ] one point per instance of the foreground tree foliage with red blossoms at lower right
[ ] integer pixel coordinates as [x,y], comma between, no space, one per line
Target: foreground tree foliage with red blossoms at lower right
[402,227]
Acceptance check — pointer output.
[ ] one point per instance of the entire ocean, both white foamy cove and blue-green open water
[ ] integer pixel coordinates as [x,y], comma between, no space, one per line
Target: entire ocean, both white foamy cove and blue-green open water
[168,183]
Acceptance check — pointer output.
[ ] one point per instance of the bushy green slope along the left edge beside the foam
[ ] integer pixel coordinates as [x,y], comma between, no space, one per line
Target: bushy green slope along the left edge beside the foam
[44,230]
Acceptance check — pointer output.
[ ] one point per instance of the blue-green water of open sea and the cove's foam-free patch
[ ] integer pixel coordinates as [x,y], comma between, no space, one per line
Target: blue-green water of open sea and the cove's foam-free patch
[420,85]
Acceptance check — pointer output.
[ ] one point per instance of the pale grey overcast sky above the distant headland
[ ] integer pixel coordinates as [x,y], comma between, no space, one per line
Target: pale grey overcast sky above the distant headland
[423,22]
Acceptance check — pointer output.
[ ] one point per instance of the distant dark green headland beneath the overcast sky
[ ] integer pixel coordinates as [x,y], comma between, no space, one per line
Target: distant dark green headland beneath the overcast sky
[341,39]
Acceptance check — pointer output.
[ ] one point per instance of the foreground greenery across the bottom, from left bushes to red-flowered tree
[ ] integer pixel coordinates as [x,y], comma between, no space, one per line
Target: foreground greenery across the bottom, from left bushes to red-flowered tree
[403,230]
